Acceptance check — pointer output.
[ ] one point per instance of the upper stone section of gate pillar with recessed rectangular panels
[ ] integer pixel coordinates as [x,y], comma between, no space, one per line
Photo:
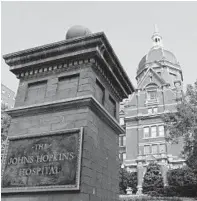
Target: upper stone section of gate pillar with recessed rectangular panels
[62,85]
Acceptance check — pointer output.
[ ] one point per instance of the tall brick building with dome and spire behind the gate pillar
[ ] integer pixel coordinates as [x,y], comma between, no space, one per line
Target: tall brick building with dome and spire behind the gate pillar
[159,86]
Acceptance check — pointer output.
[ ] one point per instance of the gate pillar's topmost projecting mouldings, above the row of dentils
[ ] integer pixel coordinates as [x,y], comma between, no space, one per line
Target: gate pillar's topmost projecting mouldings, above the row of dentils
[53,51]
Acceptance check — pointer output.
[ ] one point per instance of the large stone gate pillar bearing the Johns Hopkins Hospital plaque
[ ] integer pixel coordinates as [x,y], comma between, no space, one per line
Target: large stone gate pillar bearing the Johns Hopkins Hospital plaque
[63,137]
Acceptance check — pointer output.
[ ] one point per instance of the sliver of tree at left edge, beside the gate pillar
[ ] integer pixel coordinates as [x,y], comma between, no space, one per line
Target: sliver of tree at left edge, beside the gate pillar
[5,123]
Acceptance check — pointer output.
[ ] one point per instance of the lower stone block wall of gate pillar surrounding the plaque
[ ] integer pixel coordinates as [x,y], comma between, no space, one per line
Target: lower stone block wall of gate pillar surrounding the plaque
[99,175]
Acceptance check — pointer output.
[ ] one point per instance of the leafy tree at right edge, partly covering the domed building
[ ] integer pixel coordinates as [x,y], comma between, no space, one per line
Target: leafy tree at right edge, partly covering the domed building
[183,123]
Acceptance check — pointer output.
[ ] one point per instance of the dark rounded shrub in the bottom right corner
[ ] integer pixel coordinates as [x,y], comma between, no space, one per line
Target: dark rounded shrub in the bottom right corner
[182,182]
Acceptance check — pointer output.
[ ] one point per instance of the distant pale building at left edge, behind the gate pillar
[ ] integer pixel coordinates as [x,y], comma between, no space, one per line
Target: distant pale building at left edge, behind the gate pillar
[7,96]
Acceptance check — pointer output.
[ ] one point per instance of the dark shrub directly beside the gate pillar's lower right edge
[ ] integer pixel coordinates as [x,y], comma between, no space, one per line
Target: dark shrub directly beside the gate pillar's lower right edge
[127,179]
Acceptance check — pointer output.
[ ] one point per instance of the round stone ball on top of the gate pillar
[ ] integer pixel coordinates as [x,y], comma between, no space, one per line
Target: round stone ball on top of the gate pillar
[77,31]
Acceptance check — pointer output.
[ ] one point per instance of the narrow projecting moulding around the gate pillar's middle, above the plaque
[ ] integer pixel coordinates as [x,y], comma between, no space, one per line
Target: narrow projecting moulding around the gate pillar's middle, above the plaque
[72,103]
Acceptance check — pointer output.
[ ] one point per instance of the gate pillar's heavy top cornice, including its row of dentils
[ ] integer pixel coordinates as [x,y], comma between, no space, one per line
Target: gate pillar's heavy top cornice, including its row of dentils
[95,46]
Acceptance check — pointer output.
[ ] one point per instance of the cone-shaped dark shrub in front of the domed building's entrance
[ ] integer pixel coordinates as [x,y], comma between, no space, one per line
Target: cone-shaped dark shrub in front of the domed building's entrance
[153,181]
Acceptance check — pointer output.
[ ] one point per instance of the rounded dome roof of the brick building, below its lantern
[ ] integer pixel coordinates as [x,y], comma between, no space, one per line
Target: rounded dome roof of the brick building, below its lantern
[157,54]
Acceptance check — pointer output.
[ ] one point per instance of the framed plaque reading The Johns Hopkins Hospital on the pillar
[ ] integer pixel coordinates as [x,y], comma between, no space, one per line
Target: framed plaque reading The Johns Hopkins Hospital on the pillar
[43,162]
